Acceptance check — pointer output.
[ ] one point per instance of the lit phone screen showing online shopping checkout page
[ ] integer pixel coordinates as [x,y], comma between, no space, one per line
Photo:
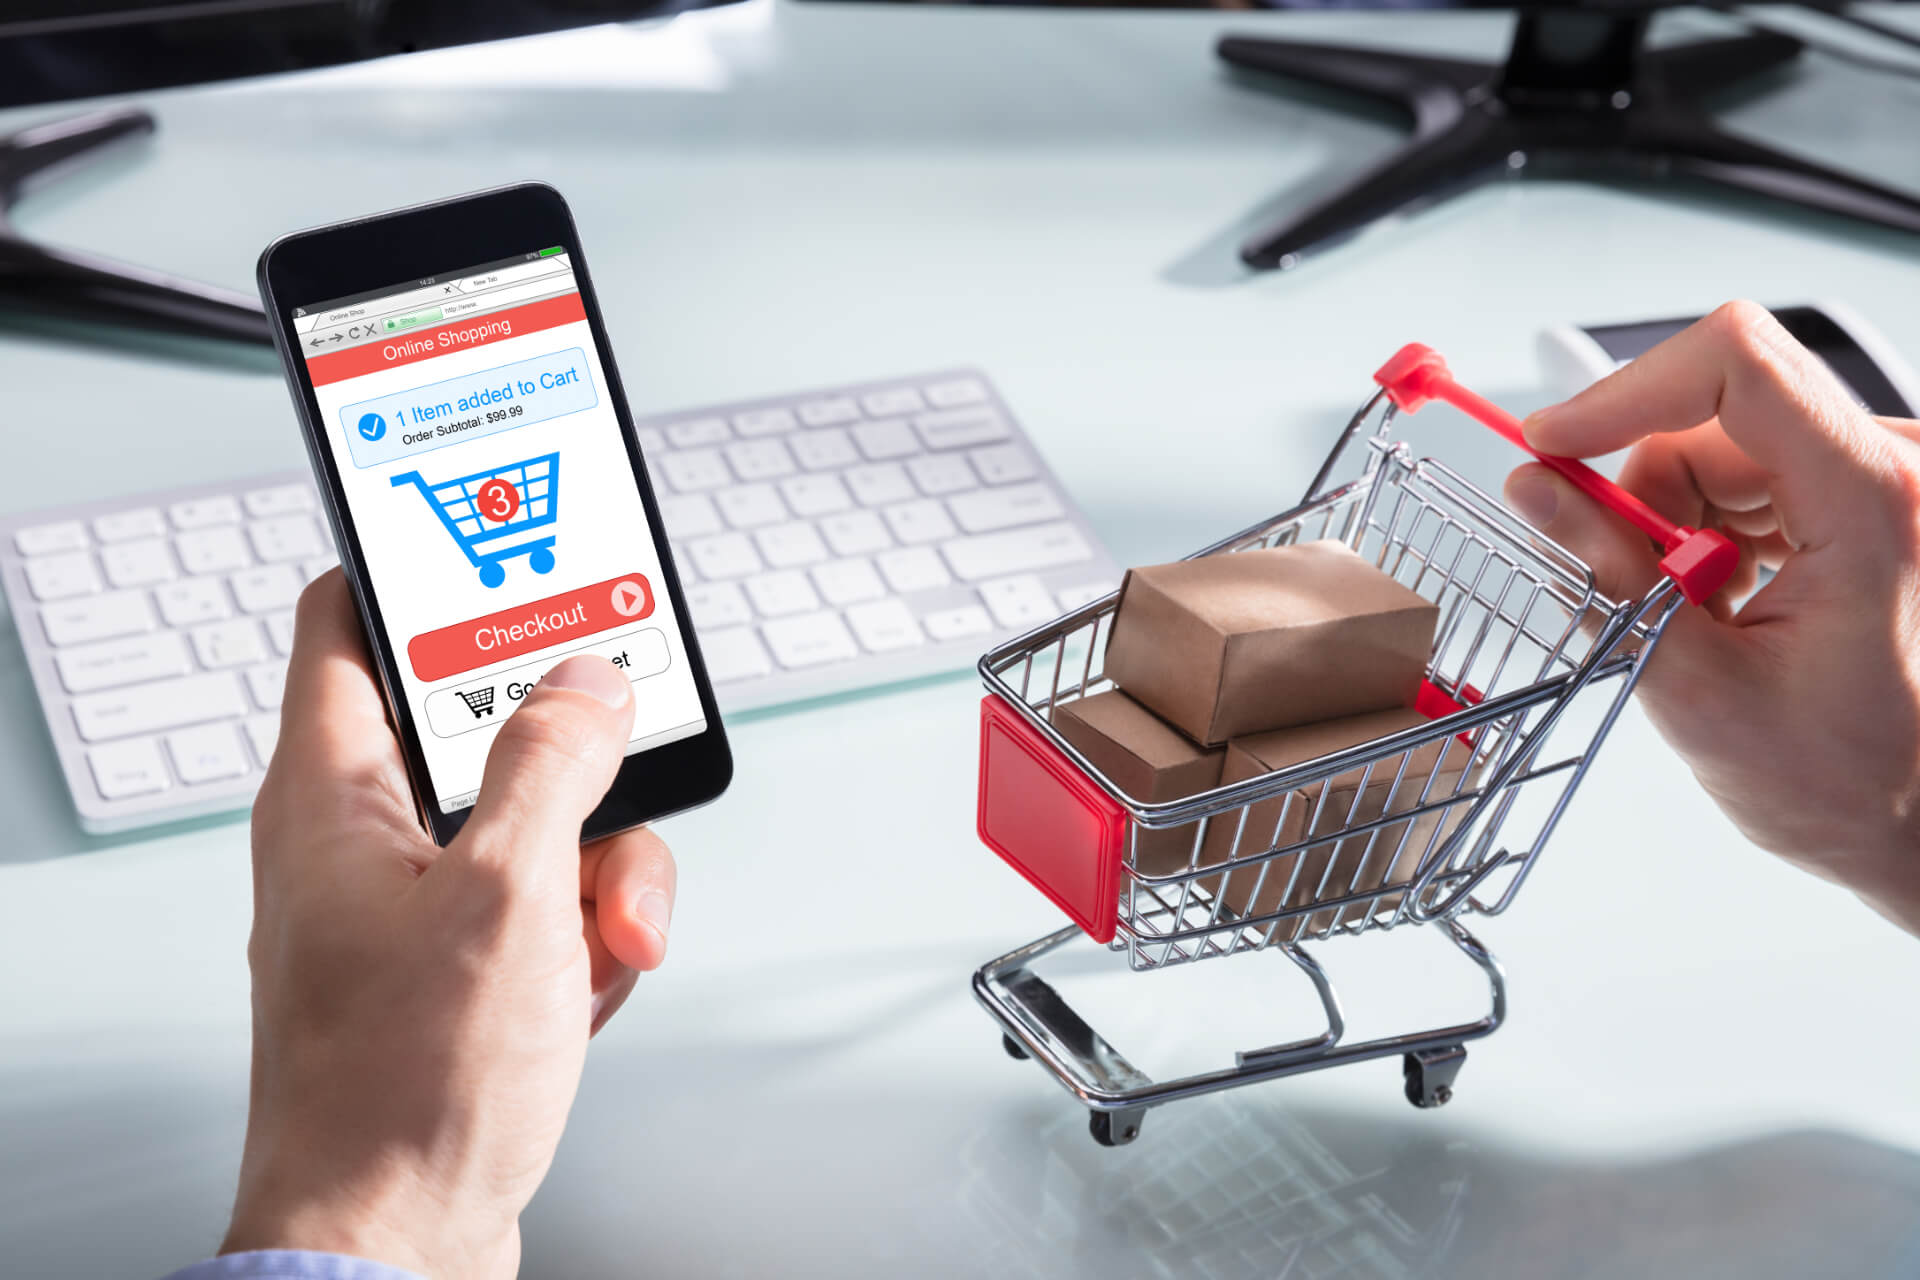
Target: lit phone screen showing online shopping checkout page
[496,504]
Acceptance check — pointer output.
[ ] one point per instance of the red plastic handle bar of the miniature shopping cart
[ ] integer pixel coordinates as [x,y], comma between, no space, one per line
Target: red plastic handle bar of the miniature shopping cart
[1700,561]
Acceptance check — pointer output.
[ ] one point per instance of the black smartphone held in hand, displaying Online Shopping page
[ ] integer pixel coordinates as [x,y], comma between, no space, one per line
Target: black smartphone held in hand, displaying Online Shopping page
[492,510]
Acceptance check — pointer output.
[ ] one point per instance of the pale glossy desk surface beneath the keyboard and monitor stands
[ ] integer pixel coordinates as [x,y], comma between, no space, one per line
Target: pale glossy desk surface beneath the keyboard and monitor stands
[1712,1062]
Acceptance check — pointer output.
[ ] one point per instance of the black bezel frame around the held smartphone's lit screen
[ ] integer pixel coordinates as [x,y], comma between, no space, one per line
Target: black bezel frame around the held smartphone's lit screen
[389,250]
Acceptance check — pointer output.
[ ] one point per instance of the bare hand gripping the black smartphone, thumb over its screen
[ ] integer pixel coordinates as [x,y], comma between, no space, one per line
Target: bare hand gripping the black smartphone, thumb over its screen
[421,1014]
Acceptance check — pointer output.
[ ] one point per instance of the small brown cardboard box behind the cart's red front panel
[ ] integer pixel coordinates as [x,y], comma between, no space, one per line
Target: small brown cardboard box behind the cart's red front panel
[1147,759]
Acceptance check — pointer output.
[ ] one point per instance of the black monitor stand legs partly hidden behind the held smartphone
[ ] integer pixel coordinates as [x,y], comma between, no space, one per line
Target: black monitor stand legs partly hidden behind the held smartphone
[47,281]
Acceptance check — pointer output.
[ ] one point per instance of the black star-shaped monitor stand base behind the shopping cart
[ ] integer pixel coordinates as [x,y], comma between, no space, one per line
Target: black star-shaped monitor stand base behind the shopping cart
[1579,95]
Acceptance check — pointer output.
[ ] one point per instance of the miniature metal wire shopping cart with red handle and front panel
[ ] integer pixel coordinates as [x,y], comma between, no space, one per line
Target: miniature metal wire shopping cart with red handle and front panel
[1529,671]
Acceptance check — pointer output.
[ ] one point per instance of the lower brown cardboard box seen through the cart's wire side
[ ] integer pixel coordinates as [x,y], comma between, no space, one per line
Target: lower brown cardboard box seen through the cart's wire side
[1351,857]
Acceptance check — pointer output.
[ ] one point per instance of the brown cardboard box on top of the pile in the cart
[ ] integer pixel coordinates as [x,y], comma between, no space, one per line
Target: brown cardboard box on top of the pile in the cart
[1262,640]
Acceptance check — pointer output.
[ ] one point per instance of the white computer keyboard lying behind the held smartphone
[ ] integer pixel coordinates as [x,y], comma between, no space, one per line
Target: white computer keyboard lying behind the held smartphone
[828,542]
